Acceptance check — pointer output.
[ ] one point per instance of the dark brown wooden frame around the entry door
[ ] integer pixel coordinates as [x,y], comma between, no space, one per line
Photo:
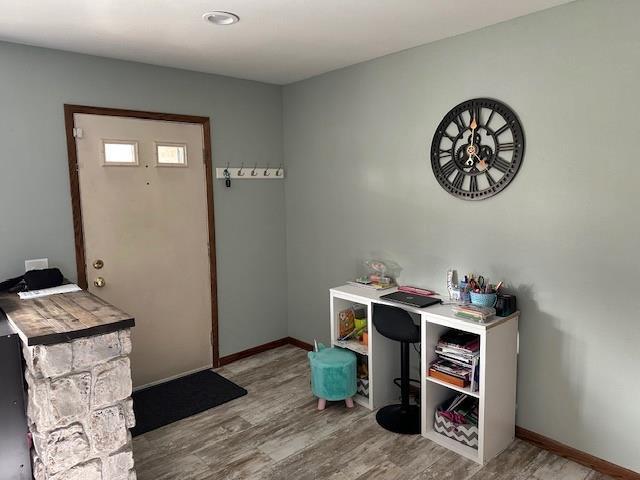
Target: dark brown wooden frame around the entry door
[81,266]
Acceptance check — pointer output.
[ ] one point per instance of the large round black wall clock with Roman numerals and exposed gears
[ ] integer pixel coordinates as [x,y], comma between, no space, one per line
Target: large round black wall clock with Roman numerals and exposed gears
[477,149]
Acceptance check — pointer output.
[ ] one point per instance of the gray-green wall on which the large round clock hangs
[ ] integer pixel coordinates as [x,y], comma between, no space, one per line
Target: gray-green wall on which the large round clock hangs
[564,235]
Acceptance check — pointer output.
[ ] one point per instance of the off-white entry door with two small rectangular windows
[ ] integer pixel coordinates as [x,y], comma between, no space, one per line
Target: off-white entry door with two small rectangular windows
[144,215]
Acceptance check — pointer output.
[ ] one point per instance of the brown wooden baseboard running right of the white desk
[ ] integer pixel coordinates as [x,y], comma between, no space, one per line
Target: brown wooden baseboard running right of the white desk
[576,455]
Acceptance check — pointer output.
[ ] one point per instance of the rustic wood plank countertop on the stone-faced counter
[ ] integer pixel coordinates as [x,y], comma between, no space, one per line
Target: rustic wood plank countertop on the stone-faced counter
[63,317]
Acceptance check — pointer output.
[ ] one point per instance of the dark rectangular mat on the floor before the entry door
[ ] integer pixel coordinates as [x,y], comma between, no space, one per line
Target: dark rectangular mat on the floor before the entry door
[181,398]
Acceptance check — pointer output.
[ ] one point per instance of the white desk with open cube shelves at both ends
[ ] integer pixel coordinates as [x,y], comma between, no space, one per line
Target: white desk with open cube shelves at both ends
[498,369]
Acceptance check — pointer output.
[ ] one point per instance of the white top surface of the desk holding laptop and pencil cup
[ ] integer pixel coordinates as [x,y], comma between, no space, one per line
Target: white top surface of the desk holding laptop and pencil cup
[441,310]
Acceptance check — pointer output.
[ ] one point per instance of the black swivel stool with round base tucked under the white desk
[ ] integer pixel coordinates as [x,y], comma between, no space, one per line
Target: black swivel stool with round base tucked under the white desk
[397,324]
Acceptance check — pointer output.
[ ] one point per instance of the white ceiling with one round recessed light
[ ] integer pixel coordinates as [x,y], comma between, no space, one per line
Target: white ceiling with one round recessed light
[276,41]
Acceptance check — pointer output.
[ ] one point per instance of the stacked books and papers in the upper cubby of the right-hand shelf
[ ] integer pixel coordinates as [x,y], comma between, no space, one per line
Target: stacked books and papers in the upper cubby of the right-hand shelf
[458,359]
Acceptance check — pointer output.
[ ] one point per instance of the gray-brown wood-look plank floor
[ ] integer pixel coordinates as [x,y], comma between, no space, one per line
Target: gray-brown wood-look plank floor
[275,432]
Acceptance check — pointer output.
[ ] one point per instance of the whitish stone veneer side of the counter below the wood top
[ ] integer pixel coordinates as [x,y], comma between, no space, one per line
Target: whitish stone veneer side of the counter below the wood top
[80,408]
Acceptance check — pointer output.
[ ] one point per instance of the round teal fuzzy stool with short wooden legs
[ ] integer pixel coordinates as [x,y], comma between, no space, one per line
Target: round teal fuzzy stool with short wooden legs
[333,375]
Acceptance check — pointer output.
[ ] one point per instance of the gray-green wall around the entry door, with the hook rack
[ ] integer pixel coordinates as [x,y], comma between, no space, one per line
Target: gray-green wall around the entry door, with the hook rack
[246,116]
